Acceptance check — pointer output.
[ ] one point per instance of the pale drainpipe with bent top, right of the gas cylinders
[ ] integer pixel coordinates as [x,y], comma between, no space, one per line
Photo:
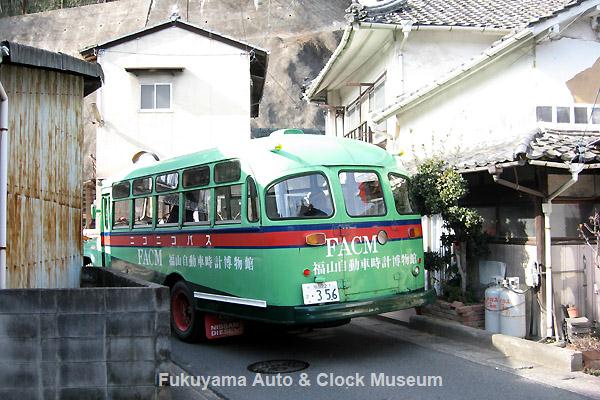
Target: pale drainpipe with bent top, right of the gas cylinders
[547,210]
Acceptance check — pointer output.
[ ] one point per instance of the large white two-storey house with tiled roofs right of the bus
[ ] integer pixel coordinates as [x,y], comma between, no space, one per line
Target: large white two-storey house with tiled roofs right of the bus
[507,92]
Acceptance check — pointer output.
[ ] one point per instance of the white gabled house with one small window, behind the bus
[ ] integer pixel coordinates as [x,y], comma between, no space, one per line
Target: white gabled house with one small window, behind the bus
[173,88]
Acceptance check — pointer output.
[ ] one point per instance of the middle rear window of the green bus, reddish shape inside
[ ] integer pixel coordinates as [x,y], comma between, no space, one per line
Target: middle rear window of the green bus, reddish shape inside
[362,193]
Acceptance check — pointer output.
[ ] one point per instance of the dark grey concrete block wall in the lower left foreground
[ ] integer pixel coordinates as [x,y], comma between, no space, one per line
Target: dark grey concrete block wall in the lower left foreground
[85,343]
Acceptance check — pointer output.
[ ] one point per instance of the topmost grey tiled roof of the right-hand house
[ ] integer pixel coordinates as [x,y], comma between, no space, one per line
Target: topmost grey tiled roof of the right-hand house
[503,14]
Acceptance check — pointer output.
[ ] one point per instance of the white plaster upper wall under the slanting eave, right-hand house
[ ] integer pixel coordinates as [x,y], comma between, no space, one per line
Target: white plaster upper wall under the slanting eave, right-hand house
[499,101]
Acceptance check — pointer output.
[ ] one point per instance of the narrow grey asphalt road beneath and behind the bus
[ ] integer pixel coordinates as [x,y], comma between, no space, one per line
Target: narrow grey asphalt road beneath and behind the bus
[354,350]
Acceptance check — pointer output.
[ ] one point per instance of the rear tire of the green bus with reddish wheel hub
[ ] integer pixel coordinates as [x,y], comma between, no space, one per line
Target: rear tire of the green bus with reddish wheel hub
[186,322]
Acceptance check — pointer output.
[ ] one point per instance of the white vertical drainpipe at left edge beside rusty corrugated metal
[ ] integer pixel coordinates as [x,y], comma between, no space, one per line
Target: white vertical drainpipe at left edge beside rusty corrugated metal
[3,174]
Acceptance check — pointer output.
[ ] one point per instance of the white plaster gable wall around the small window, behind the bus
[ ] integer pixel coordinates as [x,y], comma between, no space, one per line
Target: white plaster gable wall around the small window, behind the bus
[210,98]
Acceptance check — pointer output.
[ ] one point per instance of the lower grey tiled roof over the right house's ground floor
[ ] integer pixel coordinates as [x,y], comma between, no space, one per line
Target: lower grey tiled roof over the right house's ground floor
[562,146]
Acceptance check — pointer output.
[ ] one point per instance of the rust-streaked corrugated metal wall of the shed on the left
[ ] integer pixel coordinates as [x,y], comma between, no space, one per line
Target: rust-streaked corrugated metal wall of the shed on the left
[44,177]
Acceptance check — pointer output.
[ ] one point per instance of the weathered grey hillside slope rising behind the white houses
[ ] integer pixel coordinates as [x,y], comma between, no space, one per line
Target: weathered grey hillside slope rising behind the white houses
[299,35]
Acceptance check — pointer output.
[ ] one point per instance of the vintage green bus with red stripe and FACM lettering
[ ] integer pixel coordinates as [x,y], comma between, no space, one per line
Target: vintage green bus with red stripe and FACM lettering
[293,229]
